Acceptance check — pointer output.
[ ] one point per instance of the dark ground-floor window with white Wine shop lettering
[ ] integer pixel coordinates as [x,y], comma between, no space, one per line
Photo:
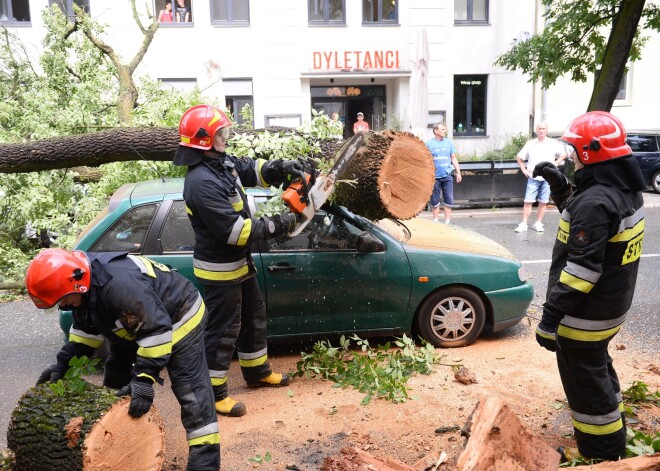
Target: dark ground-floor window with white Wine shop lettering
[470,105]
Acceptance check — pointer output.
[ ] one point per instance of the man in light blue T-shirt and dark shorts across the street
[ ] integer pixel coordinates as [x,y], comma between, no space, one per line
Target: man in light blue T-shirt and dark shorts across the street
[446,164]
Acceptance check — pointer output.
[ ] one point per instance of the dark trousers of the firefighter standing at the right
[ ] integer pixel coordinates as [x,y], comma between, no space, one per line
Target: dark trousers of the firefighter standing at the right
[594,396]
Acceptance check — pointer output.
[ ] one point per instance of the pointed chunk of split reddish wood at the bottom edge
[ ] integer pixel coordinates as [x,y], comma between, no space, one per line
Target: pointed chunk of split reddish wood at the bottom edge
[498,439]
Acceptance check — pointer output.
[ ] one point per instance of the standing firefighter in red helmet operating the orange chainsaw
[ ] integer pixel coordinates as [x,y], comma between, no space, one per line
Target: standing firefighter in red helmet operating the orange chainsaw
[223,220]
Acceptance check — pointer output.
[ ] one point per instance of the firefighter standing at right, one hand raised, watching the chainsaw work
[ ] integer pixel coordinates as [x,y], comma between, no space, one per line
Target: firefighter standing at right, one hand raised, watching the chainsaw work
[592,277]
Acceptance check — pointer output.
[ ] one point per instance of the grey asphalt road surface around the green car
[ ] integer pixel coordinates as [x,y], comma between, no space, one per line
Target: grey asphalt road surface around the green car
[30,339]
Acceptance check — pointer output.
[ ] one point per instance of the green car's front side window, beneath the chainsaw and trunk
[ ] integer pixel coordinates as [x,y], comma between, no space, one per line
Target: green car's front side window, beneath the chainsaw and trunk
[327,232]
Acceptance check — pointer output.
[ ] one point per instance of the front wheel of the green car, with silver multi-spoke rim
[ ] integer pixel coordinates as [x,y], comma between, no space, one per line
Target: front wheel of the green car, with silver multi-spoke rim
[451,317]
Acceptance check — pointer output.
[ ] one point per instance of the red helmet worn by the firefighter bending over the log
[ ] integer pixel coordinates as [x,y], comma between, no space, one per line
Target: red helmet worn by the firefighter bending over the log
[54,273]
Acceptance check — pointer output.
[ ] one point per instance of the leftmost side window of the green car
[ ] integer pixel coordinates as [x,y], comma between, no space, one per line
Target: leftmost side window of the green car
[128,232]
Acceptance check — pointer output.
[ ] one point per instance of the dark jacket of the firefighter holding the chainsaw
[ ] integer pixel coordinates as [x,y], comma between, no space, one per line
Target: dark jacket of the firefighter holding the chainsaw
[222,216]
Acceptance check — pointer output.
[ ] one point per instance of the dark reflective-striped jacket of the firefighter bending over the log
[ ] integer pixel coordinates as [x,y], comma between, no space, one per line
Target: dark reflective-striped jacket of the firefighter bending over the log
[134,300]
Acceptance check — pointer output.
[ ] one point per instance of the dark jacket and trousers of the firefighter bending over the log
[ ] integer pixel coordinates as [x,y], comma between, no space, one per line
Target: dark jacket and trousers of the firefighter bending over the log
[145,309]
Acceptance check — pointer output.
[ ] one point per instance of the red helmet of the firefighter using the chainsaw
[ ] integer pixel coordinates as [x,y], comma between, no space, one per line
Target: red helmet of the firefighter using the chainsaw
[199,124]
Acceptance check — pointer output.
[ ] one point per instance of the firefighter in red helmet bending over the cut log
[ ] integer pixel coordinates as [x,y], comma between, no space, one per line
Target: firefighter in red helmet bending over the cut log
[143,308]
